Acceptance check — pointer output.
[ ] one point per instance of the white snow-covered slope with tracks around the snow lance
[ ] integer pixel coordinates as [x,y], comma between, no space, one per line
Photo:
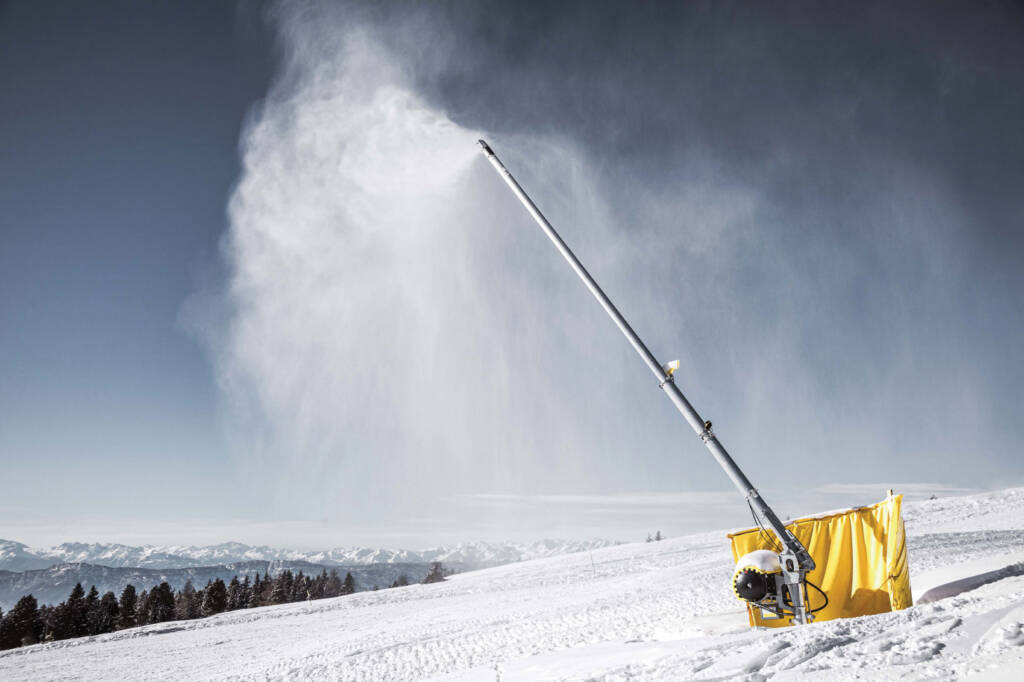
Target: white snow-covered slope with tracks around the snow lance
[660,611]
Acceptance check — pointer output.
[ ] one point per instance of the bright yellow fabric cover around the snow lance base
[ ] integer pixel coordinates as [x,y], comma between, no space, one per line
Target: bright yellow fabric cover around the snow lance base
[861,558]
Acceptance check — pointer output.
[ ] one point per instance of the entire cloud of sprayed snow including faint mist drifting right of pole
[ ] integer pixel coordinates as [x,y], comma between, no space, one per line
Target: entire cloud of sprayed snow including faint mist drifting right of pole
[402,337]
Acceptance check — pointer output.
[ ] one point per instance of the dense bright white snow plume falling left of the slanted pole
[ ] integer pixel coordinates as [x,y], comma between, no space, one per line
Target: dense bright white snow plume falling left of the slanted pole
[385,351]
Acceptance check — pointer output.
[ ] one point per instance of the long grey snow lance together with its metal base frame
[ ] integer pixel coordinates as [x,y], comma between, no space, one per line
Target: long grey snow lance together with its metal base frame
[790,598]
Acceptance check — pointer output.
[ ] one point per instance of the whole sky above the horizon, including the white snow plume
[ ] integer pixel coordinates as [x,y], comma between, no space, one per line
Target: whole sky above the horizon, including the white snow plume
[253,287]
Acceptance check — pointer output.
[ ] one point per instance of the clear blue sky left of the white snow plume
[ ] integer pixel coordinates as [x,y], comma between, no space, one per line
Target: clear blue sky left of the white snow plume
[120,129]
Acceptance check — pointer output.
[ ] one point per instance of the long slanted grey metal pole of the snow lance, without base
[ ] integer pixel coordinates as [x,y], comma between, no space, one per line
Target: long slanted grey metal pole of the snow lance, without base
[666,381]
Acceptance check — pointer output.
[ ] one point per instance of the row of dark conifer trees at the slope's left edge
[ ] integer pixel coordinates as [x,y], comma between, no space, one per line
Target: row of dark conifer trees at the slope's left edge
[84,614]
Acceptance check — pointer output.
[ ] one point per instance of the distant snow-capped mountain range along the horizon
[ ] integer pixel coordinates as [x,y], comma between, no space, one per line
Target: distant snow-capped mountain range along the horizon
[18,558]
